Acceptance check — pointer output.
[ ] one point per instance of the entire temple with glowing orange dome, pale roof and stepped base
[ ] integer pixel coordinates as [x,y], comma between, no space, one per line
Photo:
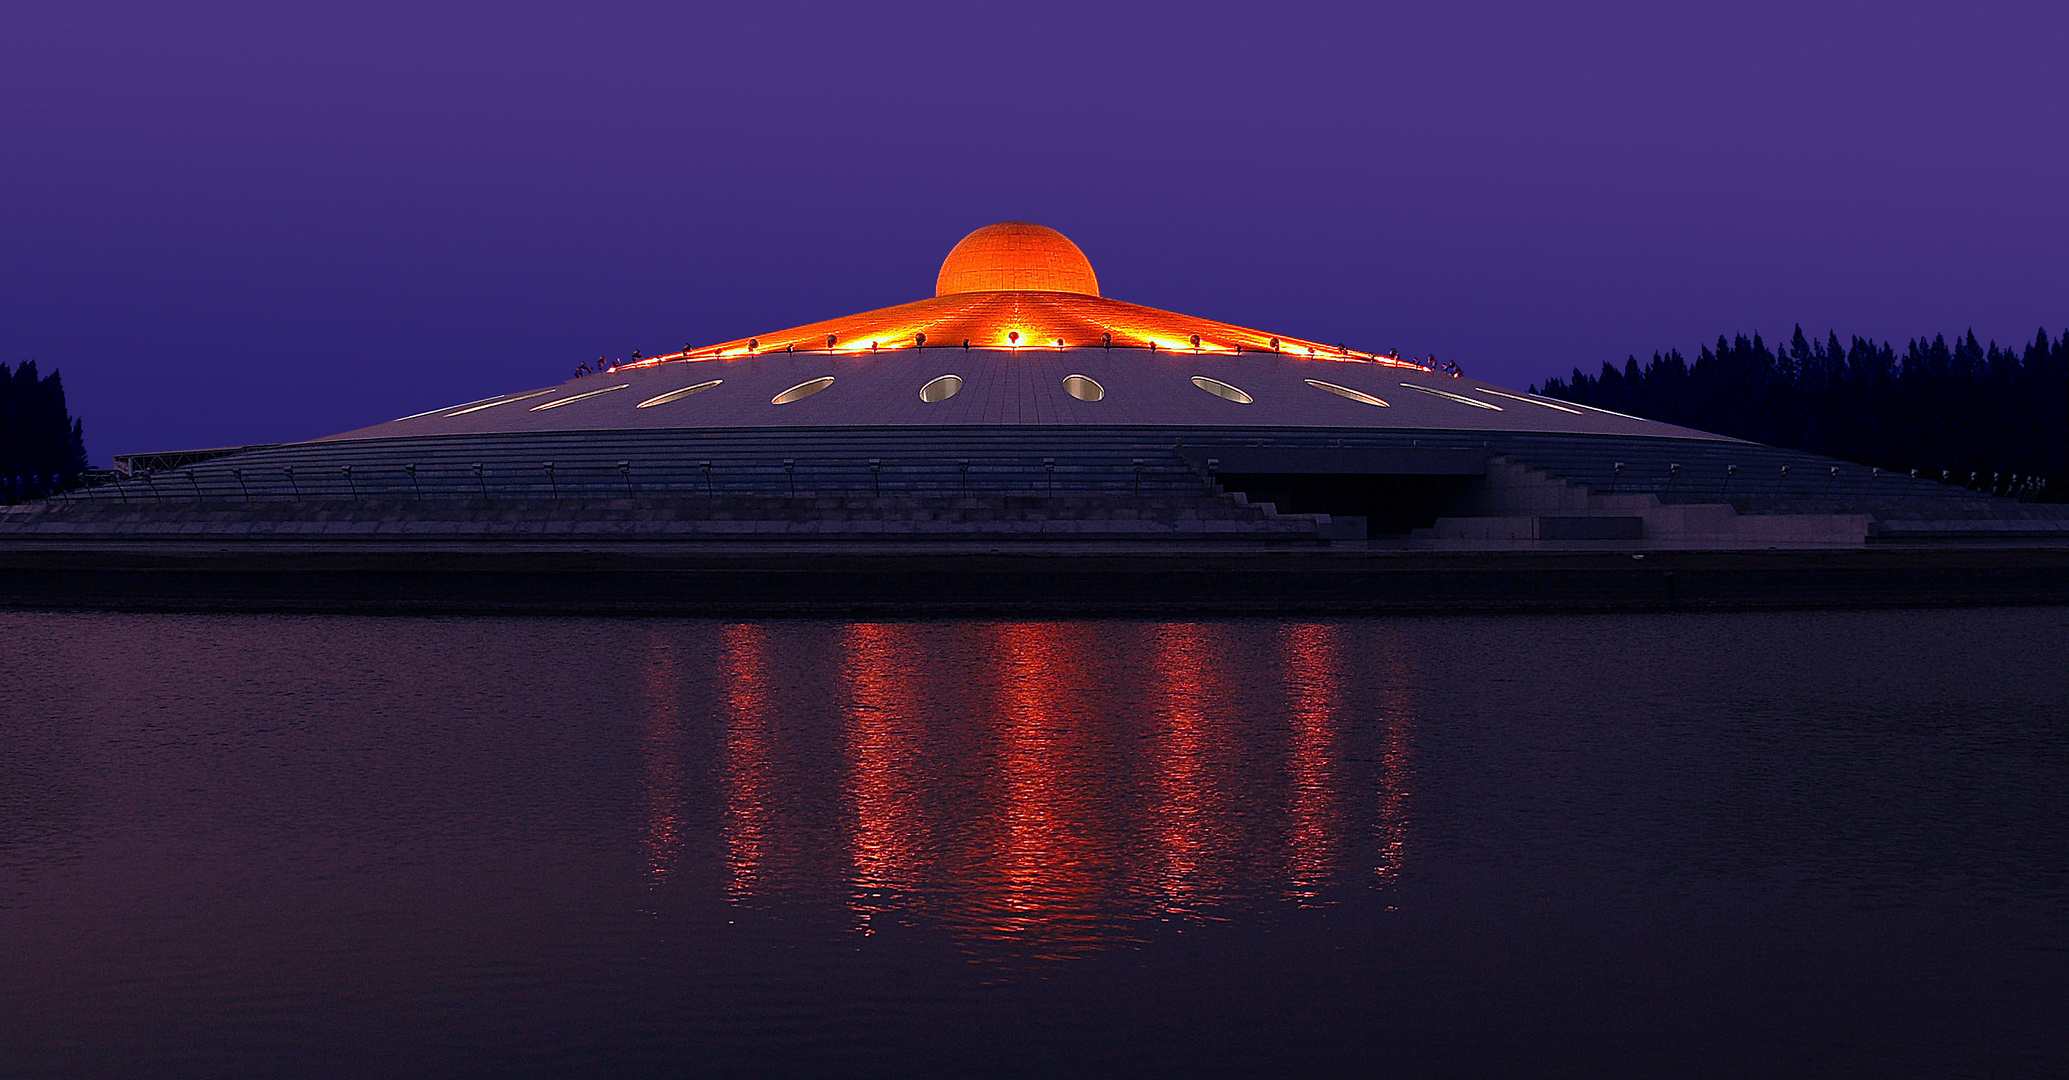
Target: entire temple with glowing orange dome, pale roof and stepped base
[1021,411]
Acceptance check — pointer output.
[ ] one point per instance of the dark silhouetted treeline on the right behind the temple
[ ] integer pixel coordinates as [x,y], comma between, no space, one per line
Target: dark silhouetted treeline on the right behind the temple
[1931,409]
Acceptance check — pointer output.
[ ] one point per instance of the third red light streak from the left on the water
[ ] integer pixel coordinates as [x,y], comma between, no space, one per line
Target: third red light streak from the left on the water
[884,746]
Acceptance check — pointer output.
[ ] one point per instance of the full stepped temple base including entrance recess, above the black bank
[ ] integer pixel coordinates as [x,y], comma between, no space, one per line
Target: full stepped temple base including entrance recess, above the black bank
[1412,489]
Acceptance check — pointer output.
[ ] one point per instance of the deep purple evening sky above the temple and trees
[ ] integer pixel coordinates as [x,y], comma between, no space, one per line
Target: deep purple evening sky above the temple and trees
[253,222]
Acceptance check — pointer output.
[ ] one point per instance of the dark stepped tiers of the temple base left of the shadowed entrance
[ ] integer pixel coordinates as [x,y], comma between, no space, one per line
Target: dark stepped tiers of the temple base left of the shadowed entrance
[725,487]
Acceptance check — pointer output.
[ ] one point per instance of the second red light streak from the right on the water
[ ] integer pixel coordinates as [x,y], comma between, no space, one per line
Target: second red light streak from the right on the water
[1315,690]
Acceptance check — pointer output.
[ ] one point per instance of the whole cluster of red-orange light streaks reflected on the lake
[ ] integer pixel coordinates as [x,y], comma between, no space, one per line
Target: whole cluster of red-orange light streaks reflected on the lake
[1002,789]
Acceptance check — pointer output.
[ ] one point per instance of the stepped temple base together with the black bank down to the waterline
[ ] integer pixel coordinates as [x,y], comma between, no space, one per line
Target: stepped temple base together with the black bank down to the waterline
[1027,520]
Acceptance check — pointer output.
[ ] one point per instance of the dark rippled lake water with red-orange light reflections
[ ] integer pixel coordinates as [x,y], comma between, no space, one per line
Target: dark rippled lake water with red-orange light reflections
[1679,845]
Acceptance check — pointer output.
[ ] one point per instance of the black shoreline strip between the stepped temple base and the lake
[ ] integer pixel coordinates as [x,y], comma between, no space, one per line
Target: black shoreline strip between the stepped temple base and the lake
[669,580]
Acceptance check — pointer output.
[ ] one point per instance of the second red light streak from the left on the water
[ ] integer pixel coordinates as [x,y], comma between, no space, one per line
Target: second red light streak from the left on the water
[750,783]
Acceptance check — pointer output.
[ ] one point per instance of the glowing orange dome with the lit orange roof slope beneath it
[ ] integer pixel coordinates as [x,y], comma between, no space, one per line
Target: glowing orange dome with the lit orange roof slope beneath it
[1021,287]
